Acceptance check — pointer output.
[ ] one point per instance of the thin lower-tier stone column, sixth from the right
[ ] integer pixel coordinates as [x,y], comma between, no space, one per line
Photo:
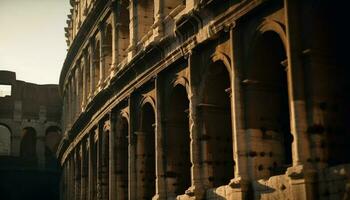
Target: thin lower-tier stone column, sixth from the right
[112,160]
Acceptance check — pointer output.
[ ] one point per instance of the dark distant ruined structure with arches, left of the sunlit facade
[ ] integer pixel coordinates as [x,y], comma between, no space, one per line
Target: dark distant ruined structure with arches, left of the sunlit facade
[29,136]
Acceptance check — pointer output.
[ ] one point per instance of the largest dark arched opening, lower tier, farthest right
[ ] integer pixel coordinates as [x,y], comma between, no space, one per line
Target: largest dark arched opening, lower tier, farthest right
[267,107]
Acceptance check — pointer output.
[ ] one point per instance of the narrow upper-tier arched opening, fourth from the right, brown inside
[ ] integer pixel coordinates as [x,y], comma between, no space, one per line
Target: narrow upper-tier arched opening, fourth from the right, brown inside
[107,51]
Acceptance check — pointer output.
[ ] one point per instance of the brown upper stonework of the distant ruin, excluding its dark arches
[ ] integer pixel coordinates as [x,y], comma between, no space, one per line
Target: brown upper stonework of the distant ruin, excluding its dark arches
[30,106]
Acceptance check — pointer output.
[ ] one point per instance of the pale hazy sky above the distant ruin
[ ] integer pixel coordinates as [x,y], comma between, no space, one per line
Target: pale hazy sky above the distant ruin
[32,41]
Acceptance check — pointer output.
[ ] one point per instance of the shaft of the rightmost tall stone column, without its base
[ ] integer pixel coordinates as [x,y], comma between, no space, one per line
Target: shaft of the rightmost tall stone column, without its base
[301,151]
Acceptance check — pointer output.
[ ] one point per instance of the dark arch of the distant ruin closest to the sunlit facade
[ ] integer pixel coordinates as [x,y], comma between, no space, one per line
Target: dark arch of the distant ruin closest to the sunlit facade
[52,139]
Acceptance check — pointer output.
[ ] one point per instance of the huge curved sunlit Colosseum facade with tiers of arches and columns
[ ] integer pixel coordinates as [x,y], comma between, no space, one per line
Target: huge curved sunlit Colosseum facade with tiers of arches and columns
[205,99]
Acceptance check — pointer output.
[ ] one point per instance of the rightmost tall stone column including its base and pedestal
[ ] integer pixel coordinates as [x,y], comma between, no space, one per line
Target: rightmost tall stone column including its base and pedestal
[301,173]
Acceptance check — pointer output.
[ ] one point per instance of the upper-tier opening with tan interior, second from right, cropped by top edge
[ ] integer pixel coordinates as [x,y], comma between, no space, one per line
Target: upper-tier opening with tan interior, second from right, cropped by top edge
[145,18]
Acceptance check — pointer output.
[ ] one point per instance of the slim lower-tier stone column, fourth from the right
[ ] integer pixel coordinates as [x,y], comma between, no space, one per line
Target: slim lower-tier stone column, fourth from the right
[159,158]
